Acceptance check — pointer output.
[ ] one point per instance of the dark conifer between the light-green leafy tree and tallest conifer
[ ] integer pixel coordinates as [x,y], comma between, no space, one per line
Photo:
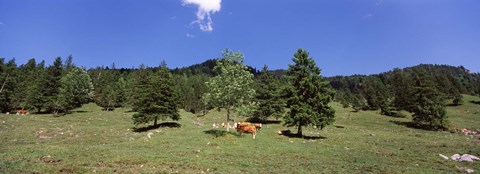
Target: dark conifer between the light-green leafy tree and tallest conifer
[267,96]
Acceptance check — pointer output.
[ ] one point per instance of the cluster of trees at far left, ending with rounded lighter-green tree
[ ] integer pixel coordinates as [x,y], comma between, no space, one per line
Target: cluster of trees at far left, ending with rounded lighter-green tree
[57,88]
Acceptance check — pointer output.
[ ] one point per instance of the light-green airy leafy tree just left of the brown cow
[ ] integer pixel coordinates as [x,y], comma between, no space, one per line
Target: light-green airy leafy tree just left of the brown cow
[232,87]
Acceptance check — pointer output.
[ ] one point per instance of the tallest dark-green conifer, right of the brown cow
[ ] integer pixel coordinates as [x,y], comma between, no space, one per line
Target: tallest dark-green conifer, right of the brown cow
[308,94]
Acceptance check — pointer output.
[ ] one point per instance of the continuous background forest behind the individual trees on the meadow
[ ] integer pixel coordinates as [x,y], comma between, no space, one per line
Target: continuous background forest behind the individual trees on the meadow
[36,86]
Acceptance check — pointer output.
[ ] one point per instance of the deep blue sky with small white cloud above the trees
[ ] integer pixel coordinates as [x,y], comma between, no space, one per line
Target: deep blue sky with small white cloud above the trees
[343,36]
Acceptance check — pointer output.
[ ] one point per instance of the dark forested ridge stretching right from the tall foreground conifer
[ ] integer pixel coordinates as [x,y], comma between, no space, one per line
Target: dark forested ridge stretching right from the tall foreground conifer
[395,90]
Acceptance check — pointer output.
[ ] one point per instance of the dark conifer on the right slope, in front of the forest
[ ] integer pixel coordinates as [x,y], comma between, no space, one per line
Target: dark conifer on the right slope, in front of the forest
[429,111]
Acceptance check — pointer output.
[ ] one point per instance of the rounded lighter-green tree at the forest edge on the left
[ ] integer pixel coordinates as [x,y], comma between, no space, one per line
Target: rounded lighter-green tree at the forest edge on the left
[76,89]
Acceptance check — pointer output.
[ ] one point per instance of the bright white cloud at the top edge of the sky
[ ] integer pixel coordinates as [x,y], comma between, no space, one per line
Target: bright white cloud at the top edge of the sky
[206,8]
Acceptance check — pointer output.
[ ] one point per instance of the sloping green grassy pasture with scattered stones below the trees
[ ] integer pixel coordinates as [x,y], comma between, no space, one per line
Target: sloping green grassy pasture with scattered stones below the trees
[95,141]
